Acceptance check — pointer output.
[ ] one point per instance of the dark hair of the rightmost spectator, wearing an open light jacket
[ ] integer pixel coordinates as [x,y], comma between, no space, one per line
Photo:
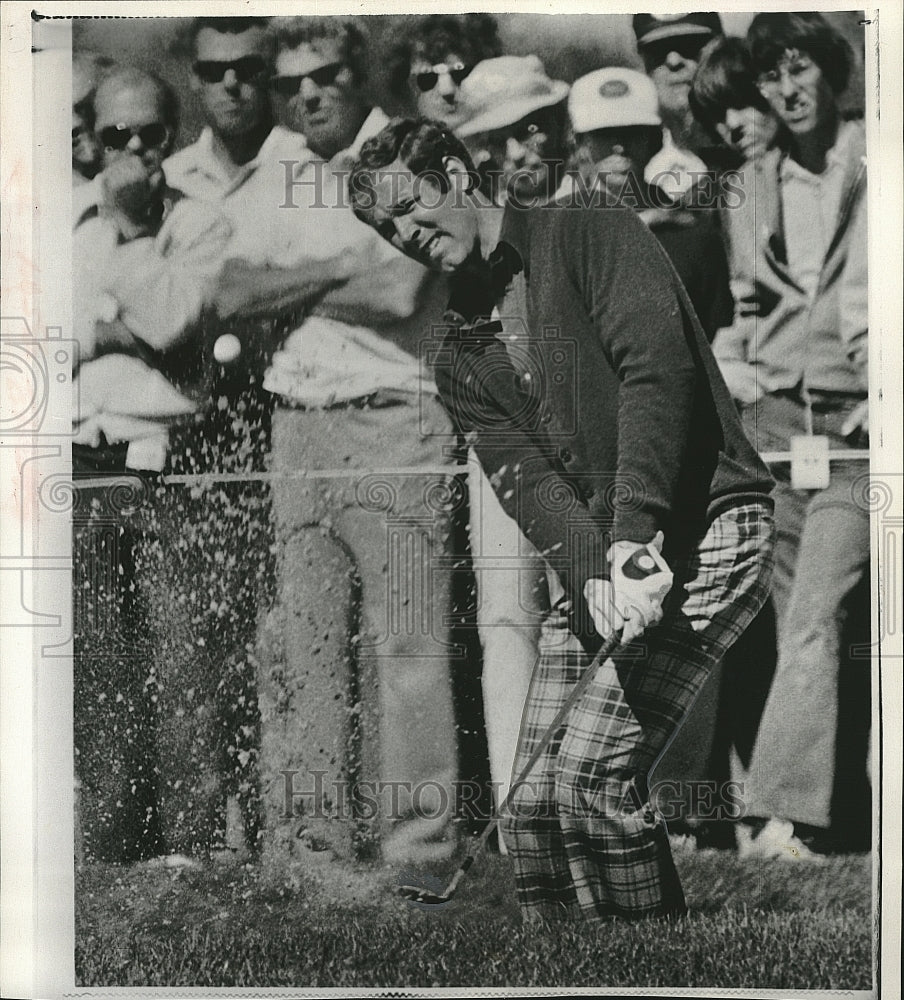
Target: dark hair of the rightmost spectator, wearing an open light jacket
[771,35]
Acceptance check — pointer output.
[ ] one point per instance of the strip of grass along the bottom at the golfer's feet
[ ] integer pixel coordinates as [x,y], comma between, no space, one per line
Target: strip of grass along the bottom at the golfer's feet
[781,926]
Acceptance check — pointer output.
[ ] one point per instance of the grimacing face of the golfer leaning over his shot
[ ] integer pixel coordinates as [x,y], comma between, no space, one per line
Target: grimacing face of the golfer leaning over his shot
[437,228]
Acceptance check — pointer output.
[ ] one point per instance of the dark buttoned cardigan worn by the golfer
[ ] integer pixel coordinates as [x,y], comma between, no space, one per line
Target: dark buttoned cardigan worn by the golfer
[632,429]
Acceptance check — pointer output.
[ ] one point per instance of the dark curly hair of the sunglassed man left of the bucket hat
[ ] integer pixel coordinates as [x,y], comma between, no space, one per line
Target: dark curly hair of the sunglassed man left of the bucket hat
[474,37]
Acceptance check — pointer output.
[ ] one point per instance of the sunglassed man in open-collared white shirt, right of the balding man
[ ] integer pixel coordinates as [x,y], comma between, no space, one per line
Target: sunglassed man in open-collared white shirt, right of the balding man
[237,165]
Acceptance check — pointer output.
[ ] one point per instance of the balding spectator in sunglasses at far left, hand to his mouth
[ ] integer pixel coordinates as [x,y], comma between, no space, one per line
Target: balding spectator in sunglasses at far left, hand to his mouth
[144,263]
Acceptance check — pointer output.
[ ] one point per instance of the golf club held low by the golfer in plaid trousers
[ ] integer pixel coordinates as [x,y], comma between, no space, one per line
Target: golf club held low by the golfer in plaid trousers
[644,563]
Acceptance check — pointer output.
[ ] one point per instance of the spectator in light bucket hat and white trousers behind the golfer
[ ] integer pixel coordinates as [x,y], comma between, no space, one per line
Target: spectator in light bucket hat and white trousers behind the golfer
[516,126]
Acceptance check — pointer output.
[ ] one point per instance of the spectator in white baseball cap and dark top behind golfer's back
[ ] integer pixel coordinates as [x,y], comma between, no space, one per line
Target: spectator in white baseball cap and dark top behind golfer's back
[617,133]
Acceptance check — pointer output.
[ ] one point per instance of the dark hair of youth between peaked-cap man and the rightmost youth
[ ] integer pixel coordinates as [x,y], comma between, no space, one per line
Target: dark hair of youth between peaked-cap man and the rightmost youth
[725,78]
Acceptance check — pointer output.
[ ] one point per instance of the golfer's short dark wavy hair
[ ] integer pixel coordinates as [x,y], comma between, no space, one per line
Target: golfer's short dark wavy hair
[422,144]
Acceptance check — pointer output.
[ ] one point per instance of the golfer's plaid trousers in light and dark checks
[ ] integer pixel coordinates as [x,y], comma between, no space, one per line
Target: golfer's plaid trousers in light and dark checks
[583,835]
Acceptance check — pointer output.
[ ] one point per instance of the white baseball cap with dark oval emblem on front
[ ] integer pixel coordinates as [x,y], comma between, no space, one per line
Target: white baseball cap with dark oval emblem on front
[611,98]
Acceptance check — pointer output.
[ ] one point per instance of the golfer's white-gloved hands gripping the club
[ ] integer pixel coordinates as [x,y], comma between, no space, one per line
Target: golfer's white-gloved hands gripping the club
[624,603]
